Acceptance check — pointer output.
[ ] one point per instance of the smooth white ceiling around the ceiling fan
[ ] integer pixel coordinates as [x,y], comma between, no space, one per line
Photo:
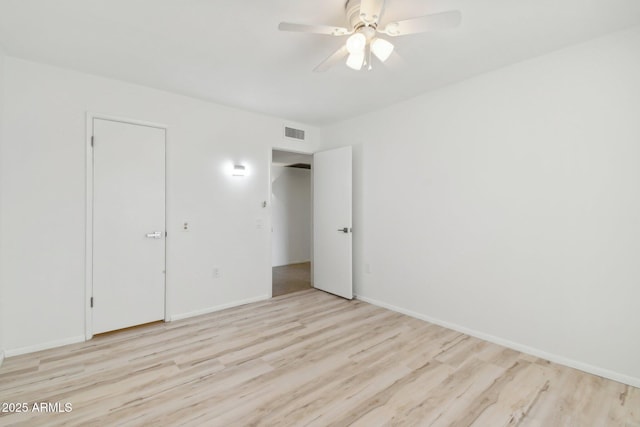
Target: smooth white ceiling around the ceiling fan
[231,52]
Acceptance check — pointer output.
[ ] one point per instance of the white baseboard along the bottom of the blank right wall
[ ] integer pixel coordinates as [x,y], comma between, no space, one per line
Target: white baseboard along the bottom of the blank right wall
[556,358]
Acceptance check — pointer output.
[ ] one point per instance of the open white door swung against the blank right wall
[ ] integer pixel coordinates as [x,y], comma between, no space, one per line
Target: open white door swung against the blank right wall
[332,237]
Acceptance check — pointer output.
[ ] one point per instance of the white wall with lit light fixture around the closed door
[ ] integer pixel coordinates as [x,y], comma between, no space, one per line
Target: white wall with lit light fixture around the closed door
[43,188]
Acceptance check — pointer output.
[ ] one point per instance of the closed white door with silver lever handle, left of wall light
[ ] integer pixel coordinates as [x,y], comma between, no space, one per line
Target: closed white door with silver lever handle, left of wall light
[128,225]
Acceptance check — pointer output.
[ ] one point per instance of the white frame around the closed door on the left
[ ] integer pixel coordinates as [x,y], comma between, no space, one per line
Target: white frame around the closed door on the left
[88,263]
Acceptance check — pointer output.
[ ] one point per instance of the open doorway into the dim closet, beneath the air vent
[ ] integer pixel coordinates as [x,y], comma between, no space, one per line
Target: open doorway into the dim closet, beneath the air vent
[291,201]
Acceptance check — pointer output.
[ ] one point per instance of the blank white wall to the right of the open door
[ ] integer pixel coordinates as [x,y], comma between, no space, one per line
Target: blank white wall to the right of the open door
[508,205]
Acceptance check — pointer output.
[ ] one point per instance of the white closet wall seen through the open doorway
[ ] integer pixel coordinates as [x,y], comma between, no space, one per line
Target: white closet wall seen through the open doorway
[291,215]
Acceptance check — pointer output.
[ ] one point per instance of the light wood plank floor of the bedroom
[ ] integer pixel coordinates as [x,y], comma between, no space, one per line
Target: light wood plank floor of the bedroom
[307,358]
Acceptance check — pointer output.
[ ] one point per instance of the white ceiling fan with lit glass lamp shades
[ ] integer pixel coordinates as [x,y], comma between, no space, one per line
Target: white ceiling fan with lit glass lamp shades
[364,18]
